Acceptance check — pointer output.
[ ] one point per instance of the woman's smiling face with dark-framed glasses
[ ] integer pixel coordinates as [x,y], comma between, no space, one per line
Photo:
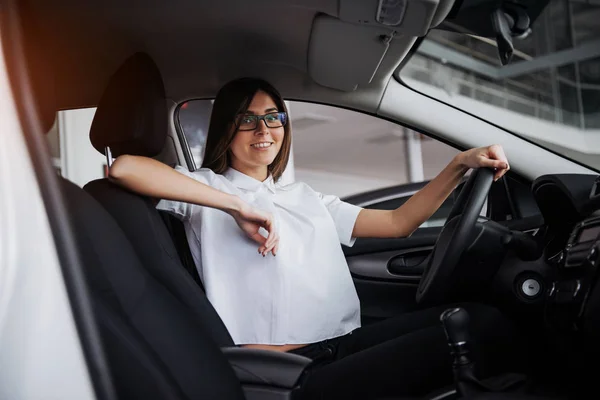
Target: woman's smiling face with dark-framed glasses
[253,150]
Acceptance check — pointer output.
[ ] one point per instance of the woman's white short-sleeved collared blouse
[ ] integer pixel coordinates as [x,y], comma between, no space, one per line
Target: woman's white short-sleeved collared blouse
[305,294]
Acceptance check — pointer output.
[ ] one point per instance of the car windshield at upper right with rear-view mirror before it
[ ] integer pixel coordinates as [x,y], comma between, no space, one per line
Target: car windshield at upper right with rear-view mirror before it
[549,93]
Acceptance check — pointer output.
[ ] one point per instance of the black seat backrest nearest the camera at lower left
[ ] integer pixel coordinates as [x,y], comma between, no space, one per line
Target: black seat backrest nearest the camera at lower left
[155,347]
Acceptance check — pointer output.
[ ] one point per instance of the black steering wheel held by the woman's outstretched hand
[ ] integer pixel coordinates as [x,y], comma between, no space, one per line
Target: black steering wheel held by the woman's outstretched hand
[456,236]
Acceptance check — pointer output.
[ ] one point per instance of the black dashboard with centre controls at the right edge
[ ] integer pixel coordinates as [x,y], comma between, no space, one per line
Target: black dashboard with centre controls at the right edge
[570,205]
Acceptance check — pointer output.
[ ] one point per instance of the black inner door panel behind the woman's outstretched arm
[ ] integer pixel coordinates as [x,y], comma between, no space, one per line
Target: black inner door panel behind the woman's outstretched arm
[386,272]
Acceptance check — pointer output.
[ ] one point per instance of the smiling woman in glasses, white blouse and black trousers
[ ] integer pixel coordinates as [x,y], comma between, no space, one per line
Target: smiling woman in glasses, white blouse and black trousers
[270,258]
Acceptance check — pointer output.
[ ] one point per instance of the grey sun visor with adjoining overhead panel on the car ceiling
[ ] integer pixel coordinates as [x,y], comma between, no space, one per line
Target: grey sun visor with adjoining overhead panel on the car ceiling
[346,52]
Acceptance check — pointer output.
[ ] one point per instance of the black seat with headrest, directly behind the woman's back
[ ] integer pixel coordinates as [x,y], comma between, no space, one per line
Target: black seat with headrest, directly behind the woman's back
[132,119]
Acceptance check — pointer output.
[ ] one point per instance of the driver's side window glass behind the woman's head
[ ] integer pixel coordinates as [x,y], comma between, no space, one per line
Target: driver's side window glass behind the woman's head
[343,152]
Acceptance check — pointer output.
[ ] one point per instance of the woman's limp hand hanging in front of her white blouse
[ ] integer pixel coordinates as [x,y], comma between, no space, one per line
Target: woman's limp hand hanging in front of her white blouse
[250,220]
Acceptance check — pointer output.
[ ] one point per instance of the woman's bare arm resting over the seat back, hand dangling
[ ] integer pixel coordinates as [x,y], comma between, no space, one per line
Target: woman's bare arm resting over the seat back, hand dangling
[152,178]
